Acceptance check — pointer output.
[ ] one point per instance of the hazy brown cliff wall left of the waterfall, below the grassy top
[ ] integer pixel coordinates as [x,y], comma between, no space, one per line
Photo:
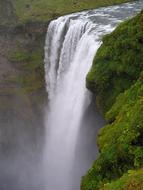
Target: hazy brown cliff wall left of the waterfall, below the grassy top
[22,90]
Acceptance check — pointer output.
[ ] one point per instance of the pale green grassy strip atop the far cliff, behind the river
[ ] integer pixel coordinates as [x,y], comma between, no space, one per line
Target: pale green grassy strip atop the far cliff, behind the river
[45,10]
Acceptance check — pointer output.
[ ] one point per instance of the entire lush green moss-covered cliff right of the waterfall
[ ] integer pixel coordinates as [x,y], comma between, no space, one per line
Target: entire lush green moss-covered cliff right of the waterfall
[116,78]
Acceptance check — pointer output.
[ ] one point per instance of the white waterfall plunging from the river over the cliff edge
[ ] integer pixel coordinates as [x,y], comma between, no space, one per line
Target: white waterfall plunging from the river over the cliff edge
[71,43]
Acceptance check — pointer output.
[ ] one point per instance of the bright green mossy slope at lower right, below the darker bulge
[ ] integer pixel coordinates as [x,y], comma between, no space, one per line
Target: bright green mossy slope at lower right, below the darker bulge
[121,142]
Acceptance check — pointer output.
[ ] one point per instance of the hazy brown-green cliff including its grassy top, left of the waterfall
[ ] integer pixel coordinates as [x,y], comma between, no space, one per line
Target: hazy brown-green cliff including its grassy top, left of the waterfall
[23,26]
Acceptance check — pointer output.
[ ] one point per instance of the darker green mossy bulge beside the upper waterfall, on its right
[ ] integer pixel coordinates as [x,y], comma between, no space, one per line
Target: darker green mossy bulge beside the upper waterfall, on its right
[118,62]
